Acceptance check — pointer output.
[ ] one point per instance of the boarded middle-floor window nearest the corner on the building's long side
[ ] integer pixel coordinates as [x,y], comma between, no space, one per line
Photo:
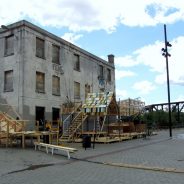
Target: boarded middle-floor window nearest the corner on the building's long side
[40,82]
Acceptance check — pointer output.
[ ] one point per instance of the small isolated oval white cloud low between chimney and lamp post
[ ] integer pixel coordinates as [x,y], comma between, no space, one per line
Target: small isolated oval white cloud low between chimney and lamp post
[144,87]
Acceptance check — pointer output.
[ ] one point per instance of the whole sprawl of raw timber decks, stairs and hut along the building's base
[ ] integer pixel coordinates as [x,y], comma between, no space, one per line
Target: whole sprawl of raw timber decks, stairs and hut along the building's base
[96,119]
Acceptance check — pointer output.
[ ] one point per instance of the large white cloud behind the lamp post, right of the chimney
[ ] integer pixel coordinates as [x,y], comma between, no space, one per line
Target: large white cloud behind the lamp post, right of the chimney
[151,56]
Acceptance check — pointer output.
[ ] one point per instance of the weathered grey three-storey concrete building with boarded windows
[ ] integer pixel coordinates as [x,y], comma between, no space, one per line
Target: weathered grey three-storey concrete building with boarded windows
[40,71]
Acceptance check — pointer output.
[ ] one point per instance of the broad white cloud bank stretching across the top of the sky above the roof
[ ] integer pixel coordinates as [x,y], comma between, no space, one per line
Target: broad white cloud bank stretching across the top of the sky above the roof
[92,15]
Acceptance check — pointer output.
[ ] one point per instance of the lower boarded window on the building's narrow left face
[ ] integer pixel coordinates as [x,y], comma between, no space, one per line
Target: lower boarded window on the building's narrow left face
[8,81]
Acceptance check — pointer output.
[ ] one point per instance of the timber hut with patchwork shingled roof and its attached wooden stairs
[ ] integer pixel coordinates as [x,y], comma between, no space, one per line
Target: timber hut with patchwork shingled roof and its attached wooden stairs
[97,105]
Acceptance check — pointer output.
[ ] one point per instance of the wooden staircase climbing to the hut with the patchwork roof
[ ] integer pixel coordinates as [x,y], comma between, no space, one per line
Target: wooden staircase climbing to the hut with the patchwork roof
[74,128]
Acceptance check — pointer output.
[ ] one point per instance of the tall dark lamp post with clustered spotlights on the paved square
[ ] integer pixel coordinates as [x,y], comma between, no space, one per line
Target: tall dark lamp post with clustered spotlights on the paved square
[166,55]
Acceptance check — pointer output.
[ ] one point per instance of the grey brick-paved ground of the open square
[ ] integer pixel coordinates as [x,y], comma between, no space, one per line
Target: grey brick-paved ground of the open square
[18,166]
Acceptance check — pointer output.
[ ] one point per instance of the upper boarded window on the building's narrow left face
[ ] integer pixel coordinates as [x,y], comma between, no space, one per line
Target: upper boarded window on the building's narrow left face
[9,45]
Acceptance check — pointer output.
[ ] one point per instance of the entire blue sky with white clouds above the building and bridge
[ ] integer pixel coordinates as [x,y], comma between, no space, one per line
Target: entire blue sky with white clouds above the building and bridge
[131,30]
